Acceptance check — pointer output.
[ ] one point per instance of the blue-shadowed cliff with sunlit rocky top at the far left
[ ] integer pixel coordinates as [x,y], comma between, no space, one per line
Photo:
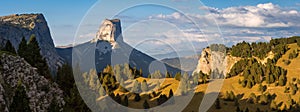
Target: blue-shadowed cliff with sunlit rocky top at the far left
[14,27]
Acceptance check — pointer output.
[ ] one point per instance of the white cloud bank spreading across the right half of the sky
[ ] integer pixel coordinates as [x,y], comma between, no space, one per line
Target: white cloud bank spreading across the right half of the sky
[249,23]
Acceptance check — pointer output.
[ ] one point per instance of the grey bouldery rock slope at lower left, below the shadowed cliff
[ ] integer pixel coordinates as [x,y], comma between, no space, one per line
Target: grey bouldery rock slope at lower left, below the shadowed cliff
[40,91]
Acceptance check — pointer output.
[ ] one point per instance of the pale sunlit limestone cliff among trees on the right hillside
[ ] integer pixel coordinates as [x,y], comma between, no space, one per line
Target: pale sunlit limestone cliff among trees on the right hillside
[211,61]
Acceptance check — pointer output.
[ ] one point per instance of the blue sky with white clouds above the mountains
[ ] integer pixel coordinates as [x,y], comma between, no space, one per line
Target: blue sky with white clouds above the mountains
[250,20]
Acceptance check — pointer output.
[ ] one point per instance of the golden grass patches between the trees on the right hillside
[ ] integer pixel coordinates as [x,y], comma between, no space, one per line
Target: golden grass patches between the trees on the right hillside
[230,84]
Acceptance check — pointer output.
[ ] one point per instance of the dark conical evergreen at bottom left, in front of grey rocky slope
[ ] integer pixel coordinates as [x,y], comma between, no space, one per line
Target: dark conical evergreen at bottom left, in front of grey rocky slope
[20,101]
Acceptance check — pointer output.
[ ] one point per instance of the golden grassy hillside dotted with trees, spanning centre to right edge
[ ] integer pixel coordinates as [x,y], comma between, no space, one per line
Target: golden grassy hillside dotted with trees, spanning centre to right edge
[276,89]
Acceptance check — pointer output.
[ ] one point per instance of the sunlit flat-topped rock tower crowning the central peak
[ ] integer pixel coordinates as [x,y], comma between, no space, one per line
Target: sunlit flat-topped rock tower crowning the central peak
[110,30]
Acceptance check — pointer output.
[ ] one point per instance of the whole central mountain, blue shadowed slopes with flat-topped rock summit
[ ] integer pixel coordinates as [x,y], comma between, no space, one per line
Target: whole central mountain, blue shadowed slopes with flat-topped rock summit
[108,48]
